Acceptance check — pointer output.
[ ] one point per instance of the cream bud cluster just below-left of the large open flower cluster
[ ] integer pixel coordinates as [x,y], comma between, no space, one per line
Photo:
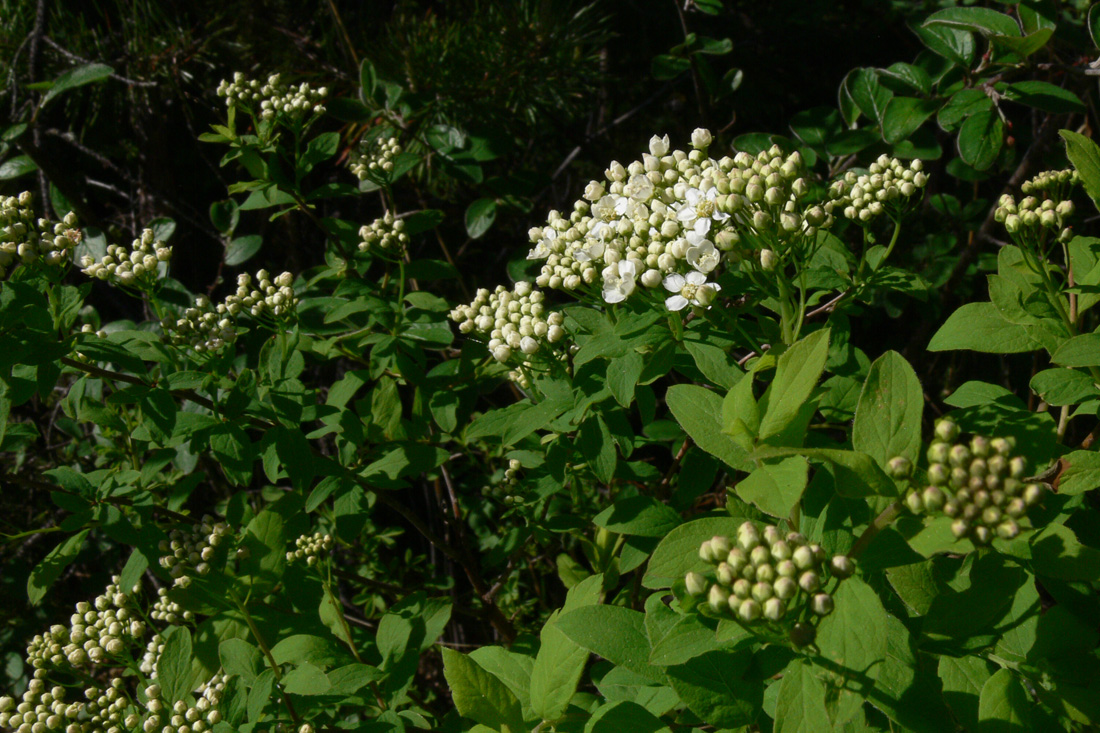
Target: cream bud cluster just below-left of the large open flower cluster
[513,321]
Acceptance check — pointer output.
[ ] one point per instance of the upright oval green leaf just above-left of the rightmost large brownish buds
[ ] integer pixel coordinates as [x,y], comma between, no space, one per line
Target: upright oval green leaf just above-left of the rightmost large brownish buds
[888,417]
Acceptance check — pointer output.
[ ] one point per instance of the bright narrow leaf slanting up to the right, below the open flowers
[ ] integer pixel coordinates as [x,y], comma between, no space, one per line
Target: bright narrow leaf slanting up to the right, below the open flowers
[797,376]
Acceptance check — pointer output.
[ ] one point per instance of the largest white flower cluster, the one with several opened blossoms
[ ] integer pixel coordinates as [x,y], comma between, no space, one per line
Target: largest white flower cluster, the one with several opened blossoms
[672,220]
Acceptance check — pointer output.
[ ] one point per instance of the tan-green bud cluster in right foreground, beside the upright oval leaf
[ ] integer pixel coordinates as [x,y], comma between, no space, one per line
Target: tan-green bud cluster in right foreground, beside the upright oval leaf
[981,484]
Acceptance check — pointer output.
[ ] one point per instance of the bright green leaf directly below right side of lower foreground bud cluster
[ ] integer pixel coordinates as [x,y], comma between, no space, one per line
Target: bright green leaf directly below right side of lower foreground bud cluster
[854,637]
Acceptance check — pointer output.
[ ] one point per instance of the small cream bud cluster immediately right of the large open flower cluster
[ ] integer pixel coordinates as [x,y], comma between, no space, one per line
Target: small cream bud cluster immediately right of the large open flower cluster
[863,198]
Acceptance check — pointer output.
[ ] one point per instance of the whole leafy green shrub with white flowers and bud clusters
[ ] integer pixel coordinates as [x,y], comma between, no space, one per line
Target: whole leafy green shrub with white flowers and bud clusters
[663,483]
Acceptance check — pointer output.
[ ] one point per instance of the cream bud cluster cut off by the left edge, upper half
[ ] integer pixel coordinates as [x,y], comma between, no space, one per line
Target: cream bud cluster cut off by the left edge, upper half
[26,240]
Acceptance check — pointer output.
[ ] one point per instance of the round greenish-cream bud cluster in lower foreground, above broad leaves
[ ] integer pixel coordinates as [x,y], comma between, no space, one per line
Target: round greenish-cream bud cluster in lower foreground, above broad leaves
[765,575]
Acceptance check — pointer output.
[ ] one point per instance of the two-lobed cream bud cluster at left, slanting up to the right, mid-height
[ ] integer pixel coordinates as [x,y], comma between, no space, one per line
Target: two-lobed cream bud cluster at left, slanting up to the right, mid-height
[207,329]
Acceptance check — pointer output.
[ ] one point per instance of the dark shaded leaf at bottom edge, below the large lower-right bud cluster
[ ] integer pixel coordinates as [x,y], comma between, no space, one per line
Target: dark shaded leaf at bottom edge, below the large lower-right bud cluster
[720,688]
